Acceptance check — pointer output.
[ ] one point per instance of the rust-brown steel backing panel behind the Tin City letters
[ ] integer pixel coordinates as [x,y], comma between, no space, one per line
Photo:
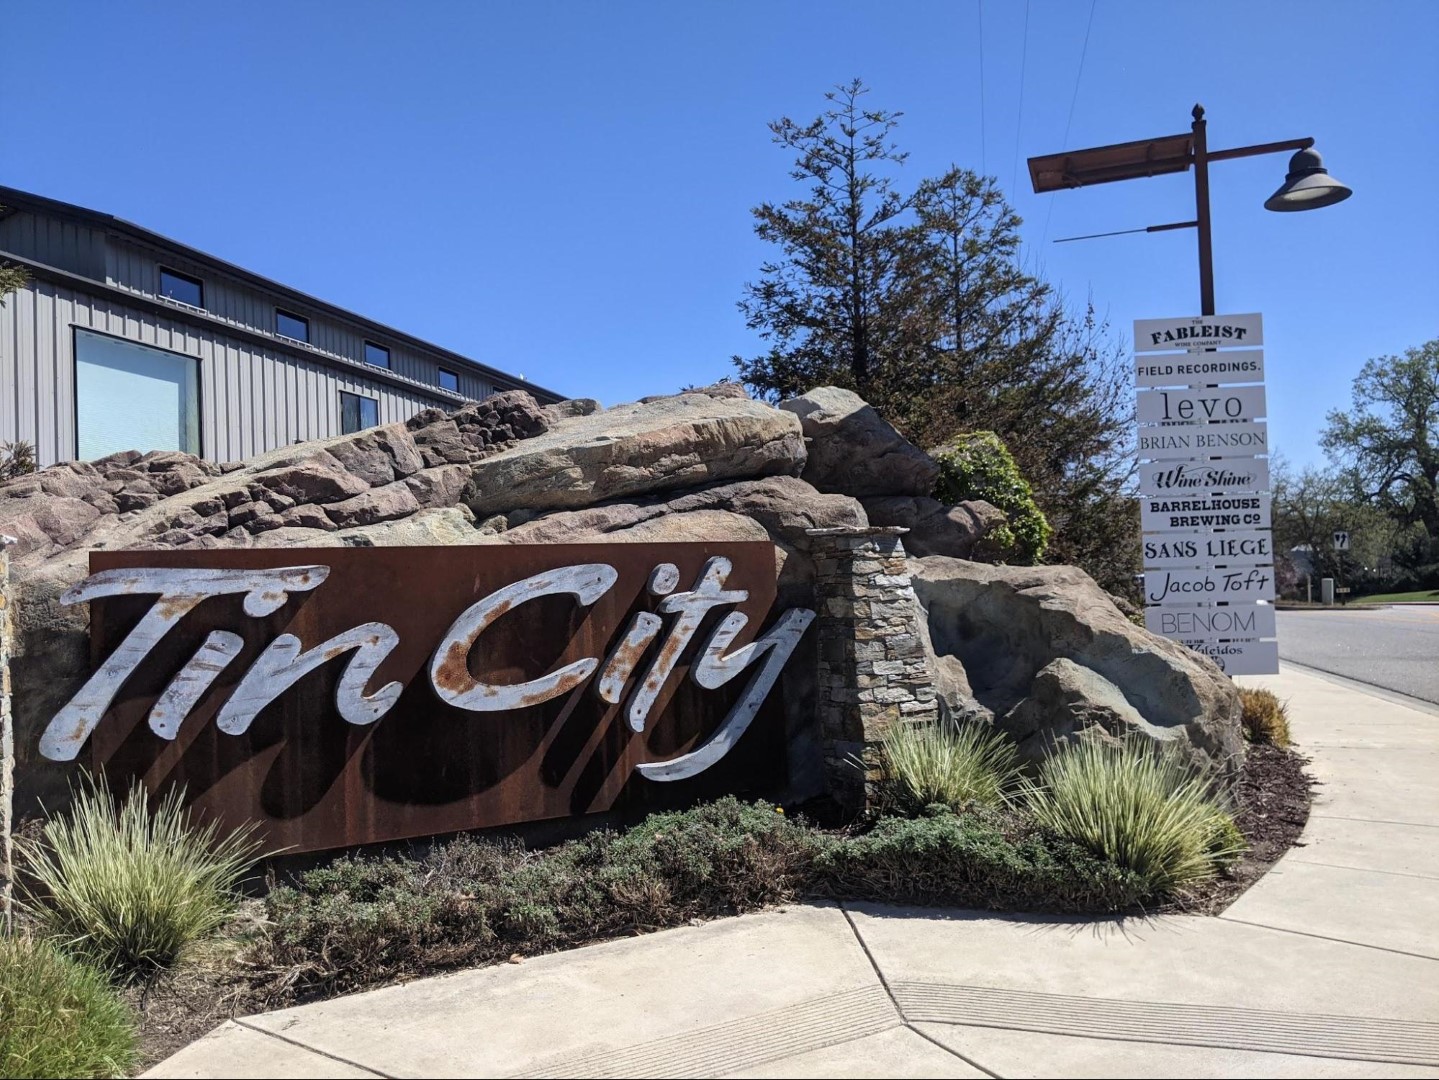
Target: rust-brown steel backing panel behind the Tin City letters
[428,767]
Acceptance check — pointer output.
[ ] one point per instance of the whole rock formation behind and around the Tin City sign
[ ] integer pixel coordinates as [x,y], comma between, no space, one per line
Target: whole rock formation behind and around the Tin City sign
[1040,651]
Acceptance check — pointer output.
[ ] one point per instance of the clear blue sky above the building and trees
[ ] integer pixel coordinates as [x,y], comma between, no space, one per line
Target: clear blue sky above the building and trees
[563,189]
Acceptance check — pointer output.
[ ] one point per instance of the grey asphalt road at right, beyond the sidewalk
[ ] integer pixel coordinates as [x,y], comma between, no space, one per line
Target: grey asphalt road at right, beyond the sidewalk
[1395,648]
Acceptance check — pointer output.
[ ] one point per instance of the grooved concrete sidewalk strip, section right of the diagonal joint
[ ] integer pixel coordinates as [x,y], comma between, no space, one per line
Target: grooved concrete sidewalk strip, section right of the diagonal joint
[1353,1039]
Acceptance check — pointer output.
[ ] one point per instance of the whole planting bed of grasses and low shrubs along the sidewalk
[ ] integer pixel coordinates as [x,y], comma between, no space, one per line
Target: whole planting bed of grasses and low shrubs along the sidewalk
[958,828]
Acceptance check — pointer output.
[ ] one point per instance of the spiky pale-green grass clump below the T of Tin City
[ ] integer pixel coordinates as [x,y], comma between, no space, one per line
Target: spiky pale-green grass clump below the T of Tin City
[129,889]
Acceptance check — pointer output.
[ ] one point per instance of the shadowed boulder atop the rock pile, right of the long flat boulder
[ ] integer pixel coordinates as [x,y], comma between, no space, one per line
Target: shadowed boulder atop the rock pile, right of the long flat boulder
[854,451]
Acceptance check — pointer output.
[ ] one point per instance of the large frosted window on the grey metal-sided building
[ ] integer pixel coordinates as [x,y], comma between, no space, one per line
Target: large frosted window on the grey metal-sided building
[133,398]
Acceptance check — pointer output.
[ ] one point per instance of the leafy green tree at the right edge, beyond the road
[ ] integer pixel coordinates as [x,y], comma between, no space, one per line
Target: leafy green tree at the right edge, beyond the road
[1388,442]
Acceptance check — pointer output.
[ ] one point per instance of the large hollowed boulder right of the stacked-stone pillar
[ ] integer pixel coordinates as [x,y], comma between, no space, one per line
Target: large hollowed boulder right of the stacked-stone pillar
[1047,655]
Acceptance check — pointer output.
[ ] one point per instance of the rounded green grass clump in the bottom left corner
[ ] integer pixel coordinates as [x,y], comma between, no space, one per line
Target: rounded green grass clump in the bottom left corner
[60,1017]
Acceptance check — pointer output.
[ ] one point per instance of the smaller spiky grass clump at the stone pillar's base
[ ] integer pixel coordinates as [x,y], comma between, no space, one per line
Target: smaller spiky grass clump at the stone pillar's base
[948,764]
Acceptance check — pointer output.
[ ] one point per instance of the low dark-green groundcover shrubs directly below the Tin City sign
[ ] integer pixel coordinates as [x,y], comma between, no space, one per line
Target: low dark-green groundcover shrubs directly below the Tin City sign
[368,920]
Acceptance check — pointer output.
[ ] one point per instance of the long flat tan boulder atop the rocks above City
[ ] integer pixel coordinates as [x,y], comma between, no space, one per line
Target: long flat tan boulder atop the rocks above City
[641,449]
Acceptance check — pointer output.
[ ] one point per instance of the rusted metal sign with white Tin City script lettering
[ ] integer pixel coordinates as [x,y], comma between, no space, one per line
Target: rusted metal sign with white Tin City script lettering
[352,695]
